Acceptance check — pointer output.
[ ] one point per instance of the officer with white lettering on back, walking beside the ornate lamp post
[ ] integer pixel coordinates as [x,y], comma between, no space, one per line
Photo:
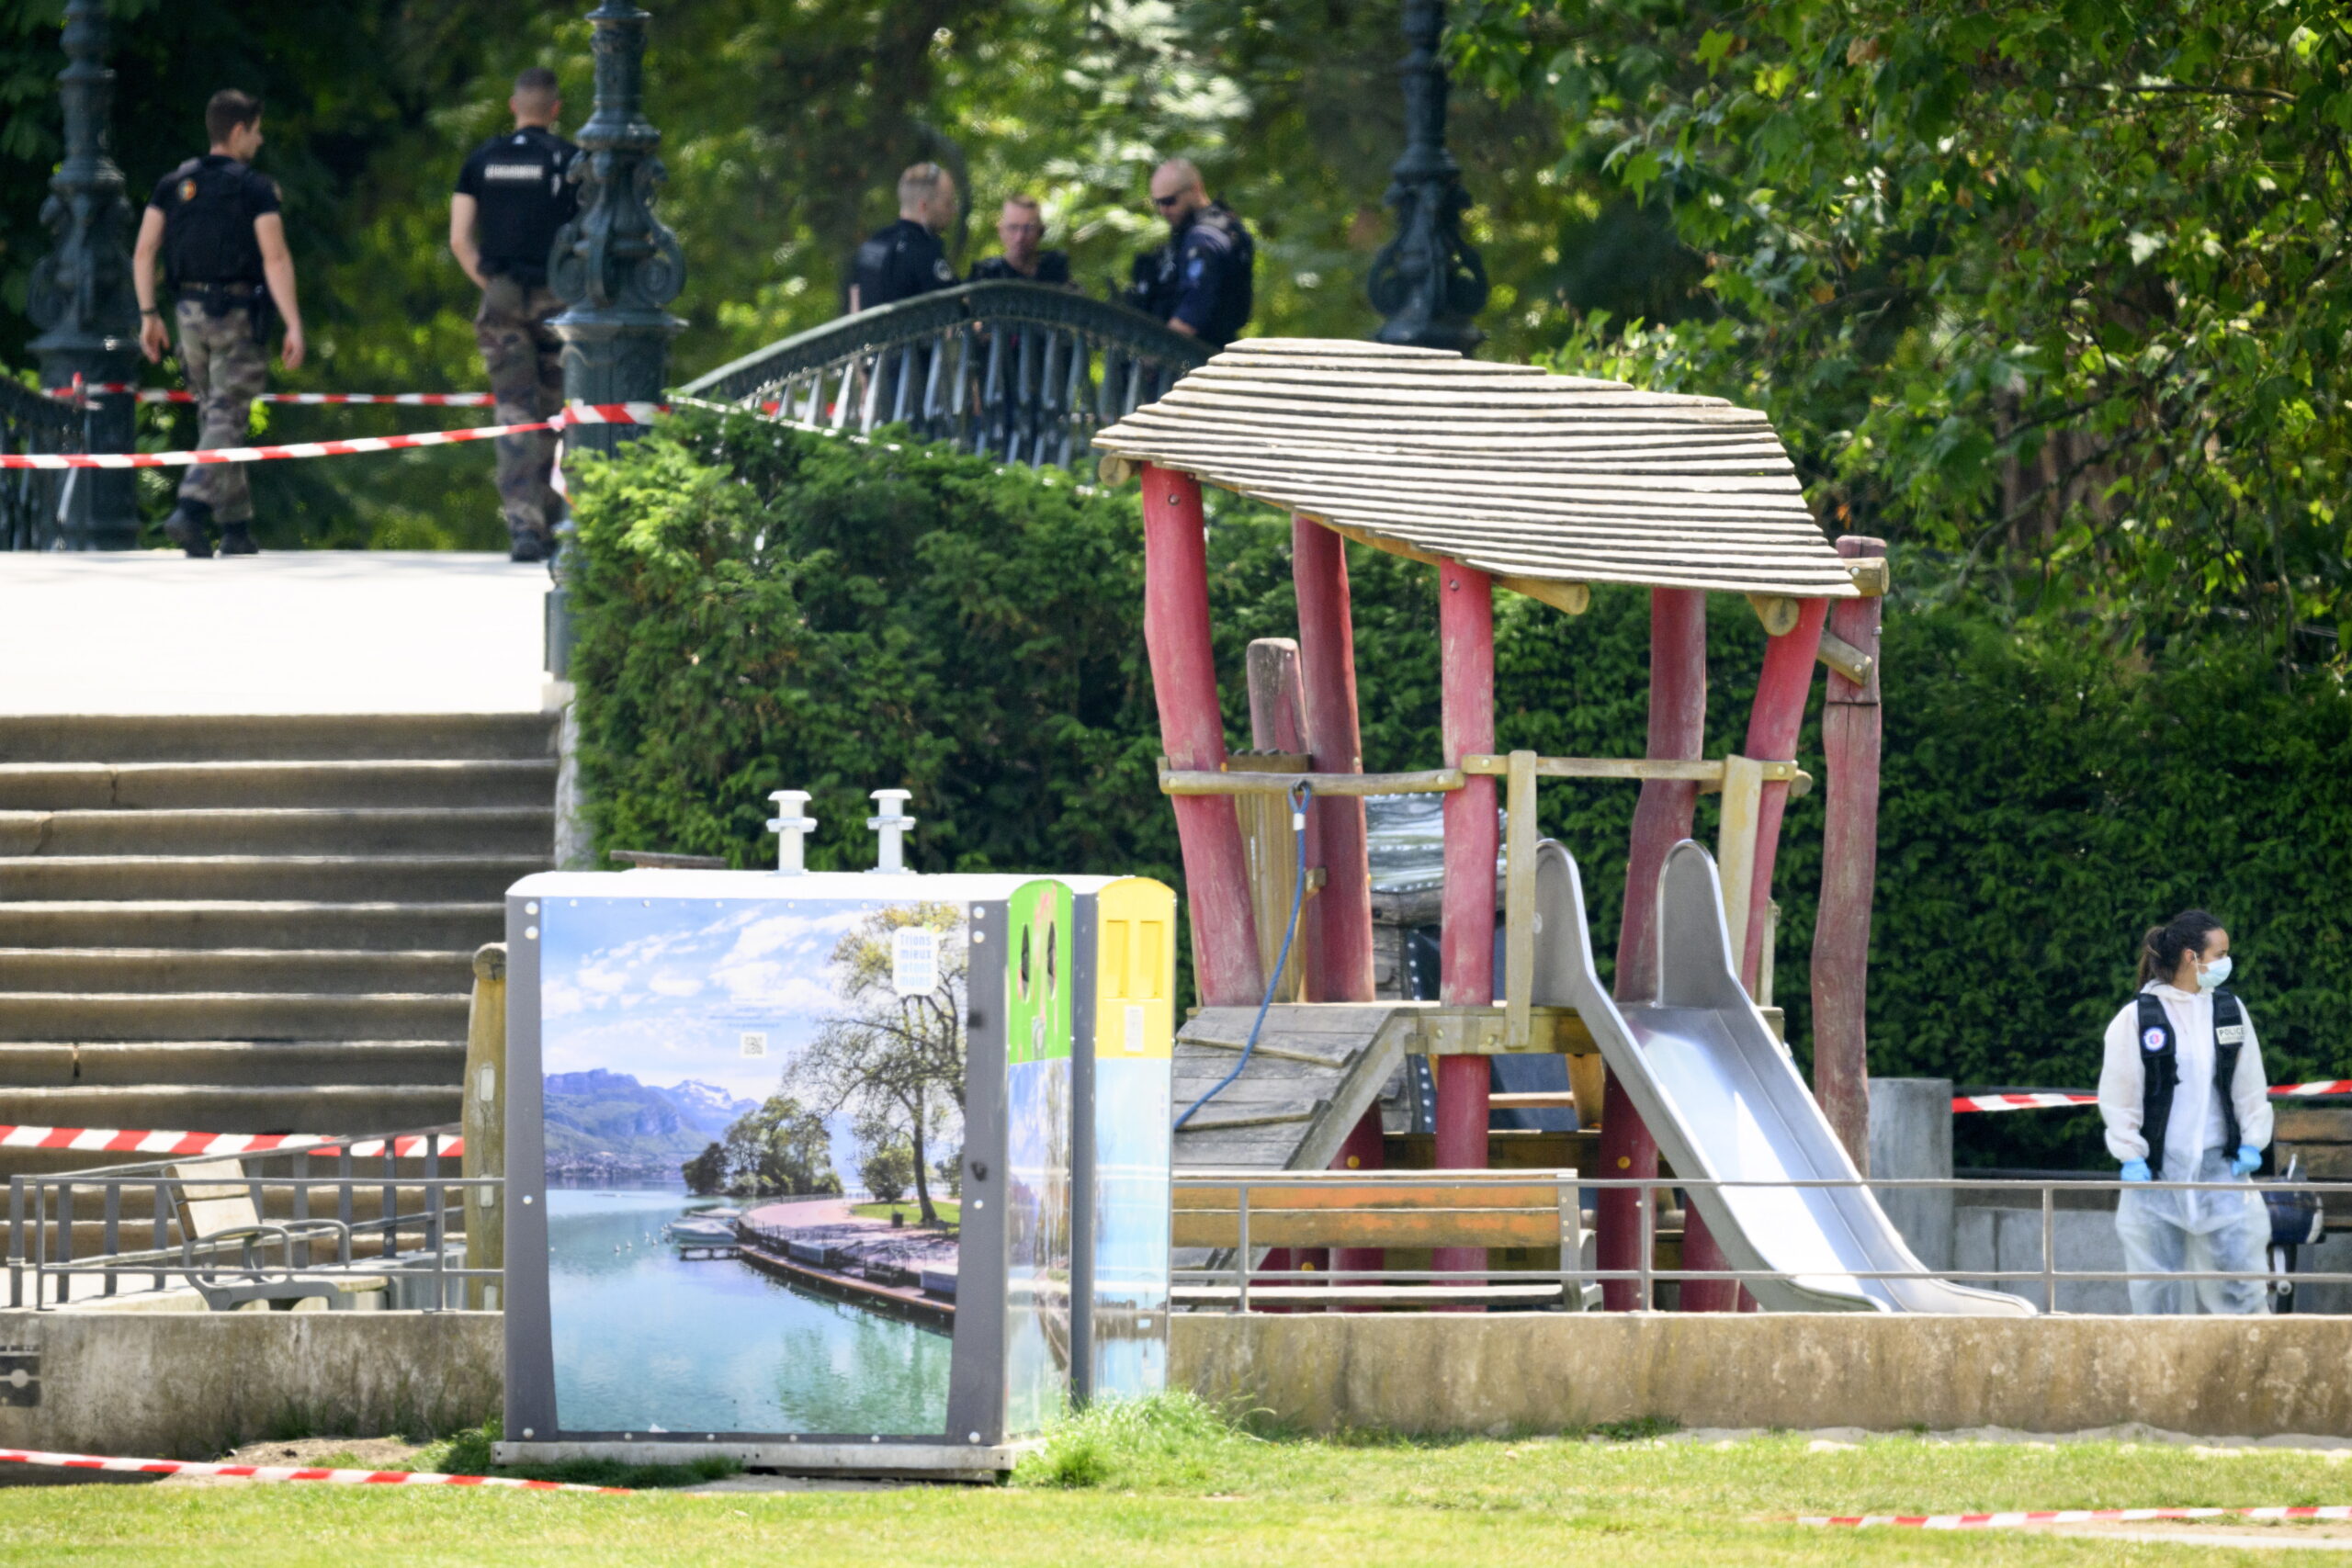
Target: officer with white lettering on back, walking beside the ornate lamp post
[512,199]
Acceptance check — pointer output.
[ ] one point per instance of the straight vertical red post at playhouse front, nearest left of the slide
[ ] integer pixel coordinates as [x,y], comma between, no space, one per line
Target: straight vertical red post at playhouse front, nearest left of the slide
[1466,937]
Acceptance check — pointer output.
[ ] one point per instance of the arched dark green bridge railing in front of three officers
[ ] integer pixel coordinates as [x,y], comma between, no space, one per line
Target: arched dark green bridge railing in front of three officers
[1013,370]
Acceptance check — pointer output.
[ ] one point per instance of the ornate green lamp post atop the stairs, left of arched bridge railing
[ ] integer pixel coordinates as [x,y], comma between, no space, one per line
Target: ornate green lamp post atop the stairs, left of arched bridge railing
[615,267]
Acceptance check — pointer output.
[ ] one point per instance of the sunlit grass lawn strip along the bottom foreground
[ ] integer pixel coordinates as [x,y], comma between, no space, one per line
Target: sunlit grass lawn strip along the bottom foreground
[1170,1485]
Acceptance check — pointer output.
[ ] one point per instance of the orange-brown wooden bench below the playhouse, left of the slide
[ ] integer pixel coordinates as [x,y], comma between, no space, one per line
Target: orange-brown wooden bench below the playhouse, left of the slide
[1396,1209]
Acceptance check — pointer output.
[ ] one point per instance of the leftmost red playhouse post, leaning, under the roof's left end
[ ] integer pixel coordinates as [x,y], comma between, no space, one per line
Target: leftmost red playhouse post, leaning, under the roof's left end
[1194,732]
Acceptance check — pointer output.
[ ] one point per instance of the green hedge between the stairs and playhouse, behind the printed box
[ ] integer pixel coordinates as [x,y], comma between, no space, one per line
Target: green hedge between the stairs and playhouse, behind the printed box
[768,610]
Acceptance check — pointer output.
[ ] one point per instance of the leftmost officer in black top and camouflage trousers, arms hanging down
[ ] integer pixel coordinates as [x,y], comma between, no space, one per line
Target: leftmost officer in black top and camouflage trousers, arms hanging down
[225,250]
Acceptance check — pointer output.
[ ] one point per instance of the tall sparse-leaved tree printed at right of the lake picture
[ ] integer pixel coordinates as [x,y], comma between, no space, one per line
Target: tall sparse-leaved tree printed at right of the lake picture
[897,1059]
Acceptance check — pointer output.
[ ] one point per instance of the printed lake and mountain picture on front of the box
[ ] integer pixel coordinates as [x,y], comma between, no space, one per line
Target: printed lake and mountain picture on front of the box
[751,1153]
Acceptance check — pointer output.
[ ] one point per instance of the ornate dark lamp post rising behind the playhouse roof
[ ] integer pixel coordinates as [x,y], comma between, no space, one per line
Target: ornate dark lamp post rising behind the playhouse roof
[1429,281]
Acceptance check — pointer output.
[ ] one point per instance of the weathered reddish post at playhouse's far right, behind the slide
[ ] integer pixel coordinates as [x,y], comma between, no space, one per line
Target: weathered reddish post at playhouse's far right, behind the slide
[1850,864]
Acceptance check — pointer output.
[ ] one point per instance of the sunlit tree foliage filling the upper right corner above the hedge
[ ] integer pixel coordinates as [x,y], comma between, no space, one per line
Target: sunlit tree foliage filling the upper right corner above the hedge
[2043,286]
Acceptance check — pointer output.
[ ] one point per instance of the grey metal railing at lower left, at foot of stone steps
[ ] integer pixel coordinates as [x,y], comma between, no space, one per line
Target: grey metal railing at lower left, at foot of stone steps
[41,1212]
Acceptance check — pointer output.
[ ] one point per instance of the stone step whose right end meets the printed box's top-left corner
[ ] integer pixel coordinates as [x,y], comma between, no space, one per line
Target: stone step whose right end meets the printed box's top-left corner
[290,925]
